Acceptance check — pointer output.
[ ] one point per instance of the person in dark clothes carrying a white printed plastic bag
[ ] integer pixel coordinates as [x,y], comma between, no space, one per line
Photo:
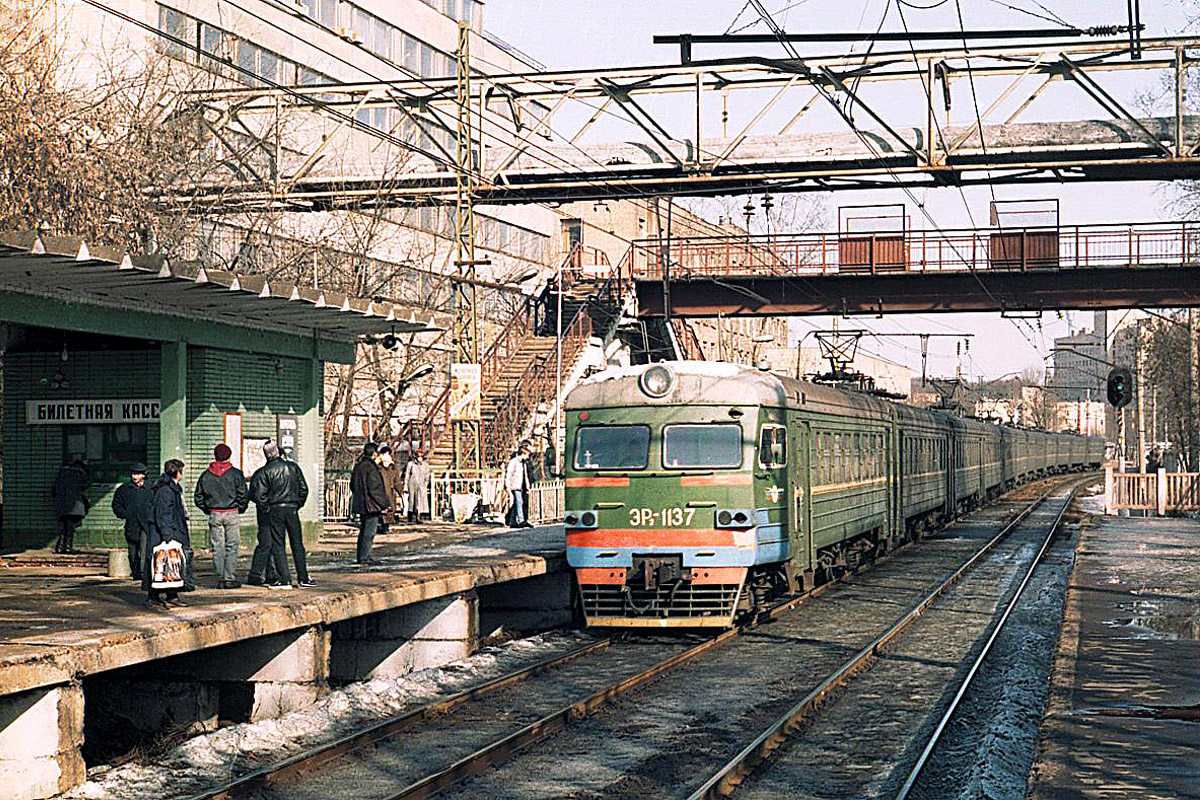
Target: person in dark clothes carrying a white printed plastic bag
[165,569]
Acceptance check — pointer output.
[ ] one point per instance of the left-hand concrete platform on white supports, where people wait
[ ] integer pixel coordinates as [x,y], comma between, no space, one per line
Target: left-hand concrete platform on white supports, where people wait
[83,654]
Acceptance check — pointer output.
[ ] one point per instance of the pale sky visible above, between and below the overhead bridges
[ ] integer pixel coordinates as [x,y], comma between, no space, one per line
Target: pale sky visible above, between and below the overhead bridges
[567,34]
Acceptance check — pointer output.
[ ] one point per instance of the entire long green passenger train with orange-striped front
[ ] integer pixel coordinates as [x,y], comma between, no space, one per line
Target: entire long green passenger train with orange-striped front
[697,491]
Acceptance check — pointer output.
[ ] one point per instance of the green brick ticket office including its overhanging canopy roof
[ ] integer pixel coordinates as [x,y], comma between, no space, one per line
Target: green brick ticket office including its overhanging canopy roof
[118,360]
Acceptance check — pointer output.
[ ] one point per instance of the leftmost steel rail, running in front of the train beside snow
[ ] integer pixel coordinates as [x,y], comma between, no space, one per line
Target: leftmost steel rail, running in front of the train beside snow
[389,727]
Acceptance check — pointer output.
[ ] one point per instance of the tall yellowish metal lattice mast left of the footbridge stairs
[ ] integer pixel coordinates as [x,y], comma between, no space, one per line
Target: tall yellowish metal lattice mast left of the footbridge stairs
[469,449]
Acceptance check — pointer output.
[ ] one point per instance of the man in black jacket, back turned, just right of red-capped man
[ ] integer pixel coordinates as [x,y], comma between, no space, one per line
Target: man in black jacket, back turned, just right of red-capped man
[279,488]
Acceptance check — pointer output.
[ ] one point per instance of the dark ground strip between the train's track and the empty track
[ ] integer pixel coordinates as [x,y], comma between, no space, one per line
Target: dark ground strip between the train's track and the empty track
[662,743]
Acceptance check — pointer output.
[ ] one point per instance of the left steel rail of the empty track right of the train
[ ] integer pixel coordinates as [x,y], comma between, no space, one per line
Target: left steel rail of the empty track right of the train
[725,780]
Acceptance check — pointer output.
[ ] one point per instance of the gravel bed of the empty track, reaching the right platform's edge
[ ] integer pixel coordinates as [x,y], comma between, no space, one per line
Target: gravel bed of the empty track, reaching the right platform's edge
[866,743]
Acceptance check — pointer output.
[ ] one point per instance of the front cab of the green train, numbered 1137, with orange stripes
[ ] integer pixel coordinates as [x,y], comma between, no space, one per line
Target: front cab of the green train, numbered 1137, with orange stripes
[671,506]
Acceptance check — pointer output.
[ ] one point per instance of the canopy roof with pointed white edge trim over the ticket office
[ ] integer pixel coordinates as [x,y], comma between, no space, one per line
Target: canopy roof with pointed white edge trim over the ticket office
[69,270]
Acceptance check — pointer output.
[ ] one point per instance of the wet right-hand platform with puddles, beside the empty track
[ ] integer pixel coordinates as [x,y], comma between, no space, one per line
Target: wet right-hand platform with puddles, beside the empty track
[1124,714]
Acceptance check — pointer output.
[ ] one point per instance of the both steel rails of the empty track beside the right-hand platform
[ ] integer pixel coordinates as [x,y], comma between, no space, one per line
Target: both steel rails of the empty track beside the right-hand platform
[758,755]
